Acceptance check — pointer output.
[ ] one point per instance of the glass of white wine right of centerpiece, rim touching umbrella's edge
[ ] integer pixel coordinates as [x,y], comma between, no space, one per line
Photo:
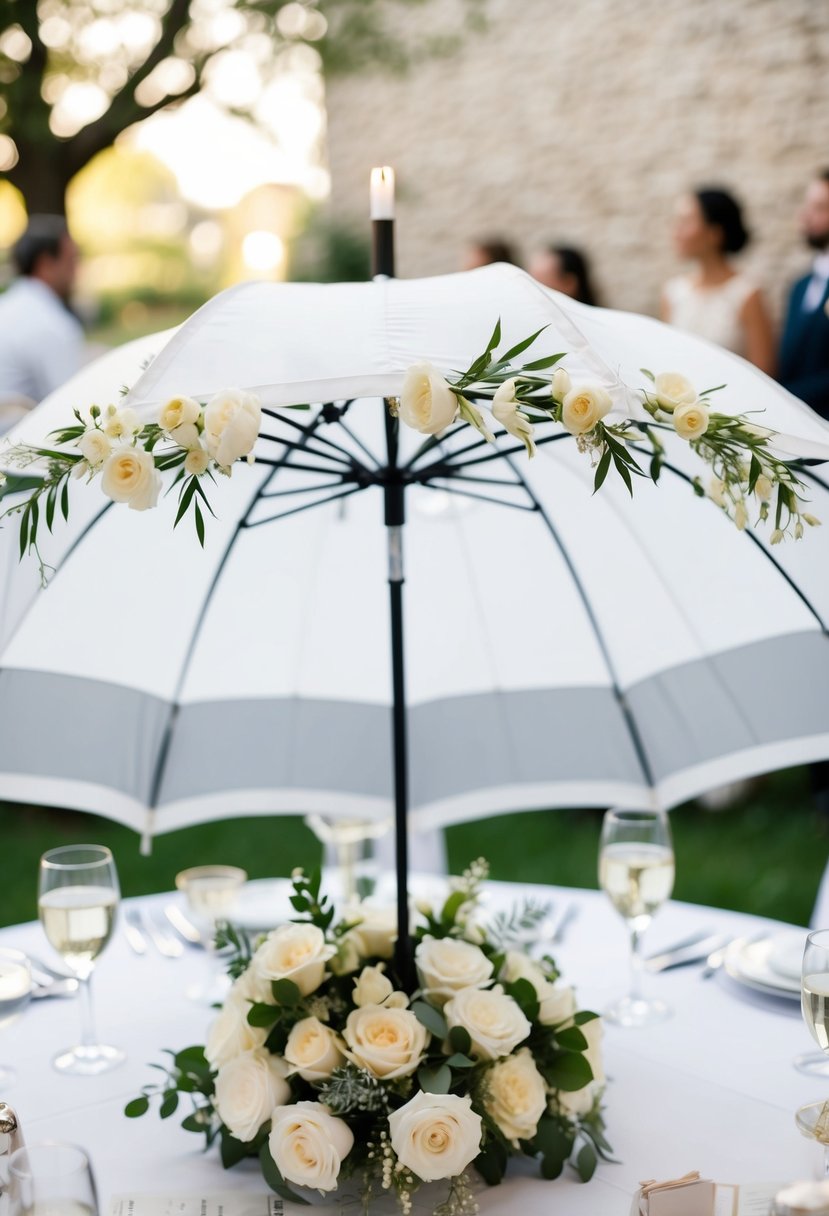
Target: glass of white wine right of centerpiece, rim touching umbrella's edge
[636,872]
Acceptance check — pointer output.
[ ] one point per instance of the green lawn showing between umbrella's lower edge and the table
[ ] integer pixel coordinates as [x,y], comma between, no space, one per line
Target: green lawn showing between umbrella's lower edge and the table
[765,855]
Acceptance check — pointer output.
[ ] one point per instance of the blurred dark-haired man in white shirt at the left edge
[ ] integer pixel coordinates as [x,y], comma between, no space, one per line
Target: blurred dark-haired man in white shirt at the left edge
[42,341]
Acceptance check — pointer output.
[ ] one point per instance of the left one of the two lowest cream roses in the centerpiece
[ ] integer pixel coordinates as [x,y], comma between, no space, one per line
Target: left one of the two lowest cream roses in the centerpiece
[308,1145]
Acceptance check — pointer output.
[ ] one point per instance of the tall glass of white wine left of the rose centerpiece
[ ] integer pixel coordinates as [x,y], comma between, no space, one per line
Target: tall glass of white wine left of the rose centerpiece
[77,902]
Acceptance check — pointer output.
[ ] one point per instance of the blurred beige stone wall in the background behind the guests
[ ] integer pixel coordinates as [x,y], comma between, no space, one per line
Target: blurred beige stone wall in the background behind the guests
[582,122]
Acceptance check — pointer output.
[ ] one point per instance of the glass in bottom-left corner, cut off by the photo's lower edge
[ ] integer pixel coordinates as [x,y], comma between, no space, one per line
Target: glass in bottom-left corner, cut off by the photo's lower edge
[53,1180]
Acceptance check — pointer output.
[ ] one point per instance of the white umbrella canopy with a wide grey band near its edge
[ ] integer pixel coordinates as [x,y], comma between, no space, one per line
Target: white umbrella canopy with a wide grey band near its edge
[562,649]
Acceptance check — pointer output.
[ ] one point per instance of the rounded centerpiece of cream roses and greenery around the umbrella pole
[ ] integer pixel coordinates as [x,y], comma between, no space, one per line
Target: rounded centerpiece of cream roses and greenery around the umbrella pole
[324,1067]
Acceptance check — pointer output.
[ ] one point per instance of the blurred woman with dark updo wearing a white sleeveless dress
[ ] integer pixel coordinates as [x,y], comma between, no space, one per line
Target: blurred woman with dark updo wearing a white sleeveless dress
[717,301]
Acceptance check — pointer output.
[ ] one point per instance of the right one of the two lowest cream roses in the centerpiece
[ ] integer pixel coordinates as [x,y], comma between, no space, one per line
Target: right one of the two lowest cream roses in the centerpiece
[436,1135]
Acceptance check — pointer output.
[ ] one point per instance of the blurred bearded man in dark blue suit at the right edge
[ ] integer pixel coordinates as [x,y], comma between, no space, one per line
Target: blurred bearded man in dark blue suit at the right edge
[804,367]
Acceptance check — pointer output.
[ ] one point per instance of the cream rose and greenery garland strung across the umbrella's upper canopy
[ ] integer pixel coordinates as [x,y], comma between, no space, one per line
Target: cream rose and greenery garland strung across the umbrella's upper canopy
[196,441]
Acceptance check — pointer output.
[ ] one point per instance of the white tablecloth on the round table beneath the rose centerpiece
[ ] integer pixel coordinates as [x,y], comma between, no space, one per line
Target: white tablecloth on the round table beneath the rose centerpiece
[714,1089]
